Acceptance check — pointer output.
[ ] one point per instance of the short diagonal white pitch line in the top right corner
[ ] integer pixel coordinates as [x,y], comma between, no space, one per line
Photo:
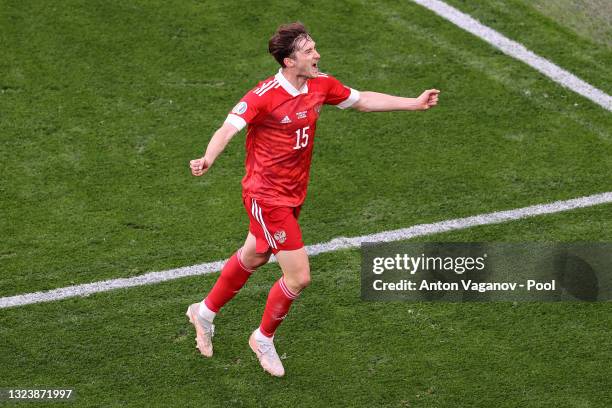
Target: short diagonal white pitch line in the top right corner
[518,51]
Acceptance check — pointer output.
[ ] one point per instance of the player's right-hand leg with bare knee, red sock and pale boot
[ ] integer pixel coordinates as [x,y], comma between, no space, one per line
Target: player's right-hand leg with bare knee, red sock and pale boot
[296,276]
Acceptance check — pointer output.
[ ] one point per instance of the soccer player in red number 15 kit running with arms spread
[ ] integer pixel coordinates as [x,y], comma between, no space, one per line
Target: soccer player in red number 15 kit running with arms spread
[281,116]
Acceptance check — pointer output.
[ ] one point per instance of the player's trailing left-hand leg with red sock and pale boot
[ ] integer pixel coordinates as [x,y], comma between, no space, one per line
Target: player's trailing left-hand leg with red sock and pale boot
[235,273]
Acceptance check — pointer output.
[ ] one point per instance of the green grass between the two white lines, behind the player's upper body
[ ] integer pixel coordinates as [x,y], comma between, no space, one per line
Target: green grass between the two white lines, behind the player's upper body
[105,103]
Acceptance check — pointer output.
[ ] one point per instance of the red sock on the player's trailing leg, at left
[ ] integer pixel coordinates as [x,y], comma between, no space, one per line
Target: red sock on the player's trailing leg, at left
[233,277]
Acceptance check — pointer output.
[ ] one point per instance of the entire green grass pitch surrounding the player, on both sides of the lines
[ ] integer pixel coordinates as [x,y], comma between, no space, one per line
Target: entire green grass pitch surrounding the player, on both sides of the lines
[104,103]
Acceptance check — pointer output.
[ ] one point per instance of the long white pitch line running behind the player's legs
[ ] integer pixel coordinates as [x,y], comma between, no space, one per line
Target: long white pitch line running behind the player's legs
[335,244]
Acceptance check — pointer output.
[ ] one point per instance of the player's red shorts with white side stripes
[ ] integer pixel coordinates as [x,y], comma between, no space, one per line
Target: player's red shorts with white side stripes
[275,228]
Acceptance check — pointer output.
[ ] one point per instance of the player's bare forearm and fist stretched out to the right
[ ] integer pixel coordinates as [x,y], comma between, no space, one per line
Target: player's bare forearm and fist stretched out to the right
[379,102]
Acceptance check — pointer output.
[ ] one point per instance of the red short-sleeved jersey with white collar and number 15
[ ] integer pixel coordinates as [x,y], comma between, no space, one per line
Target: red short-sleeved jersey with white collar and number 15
[281,128]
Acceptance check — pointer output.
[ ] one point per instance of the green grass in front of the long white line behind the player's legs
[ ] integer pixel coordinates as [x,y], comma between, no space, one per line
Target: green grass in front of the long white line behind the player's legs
[134,347]
